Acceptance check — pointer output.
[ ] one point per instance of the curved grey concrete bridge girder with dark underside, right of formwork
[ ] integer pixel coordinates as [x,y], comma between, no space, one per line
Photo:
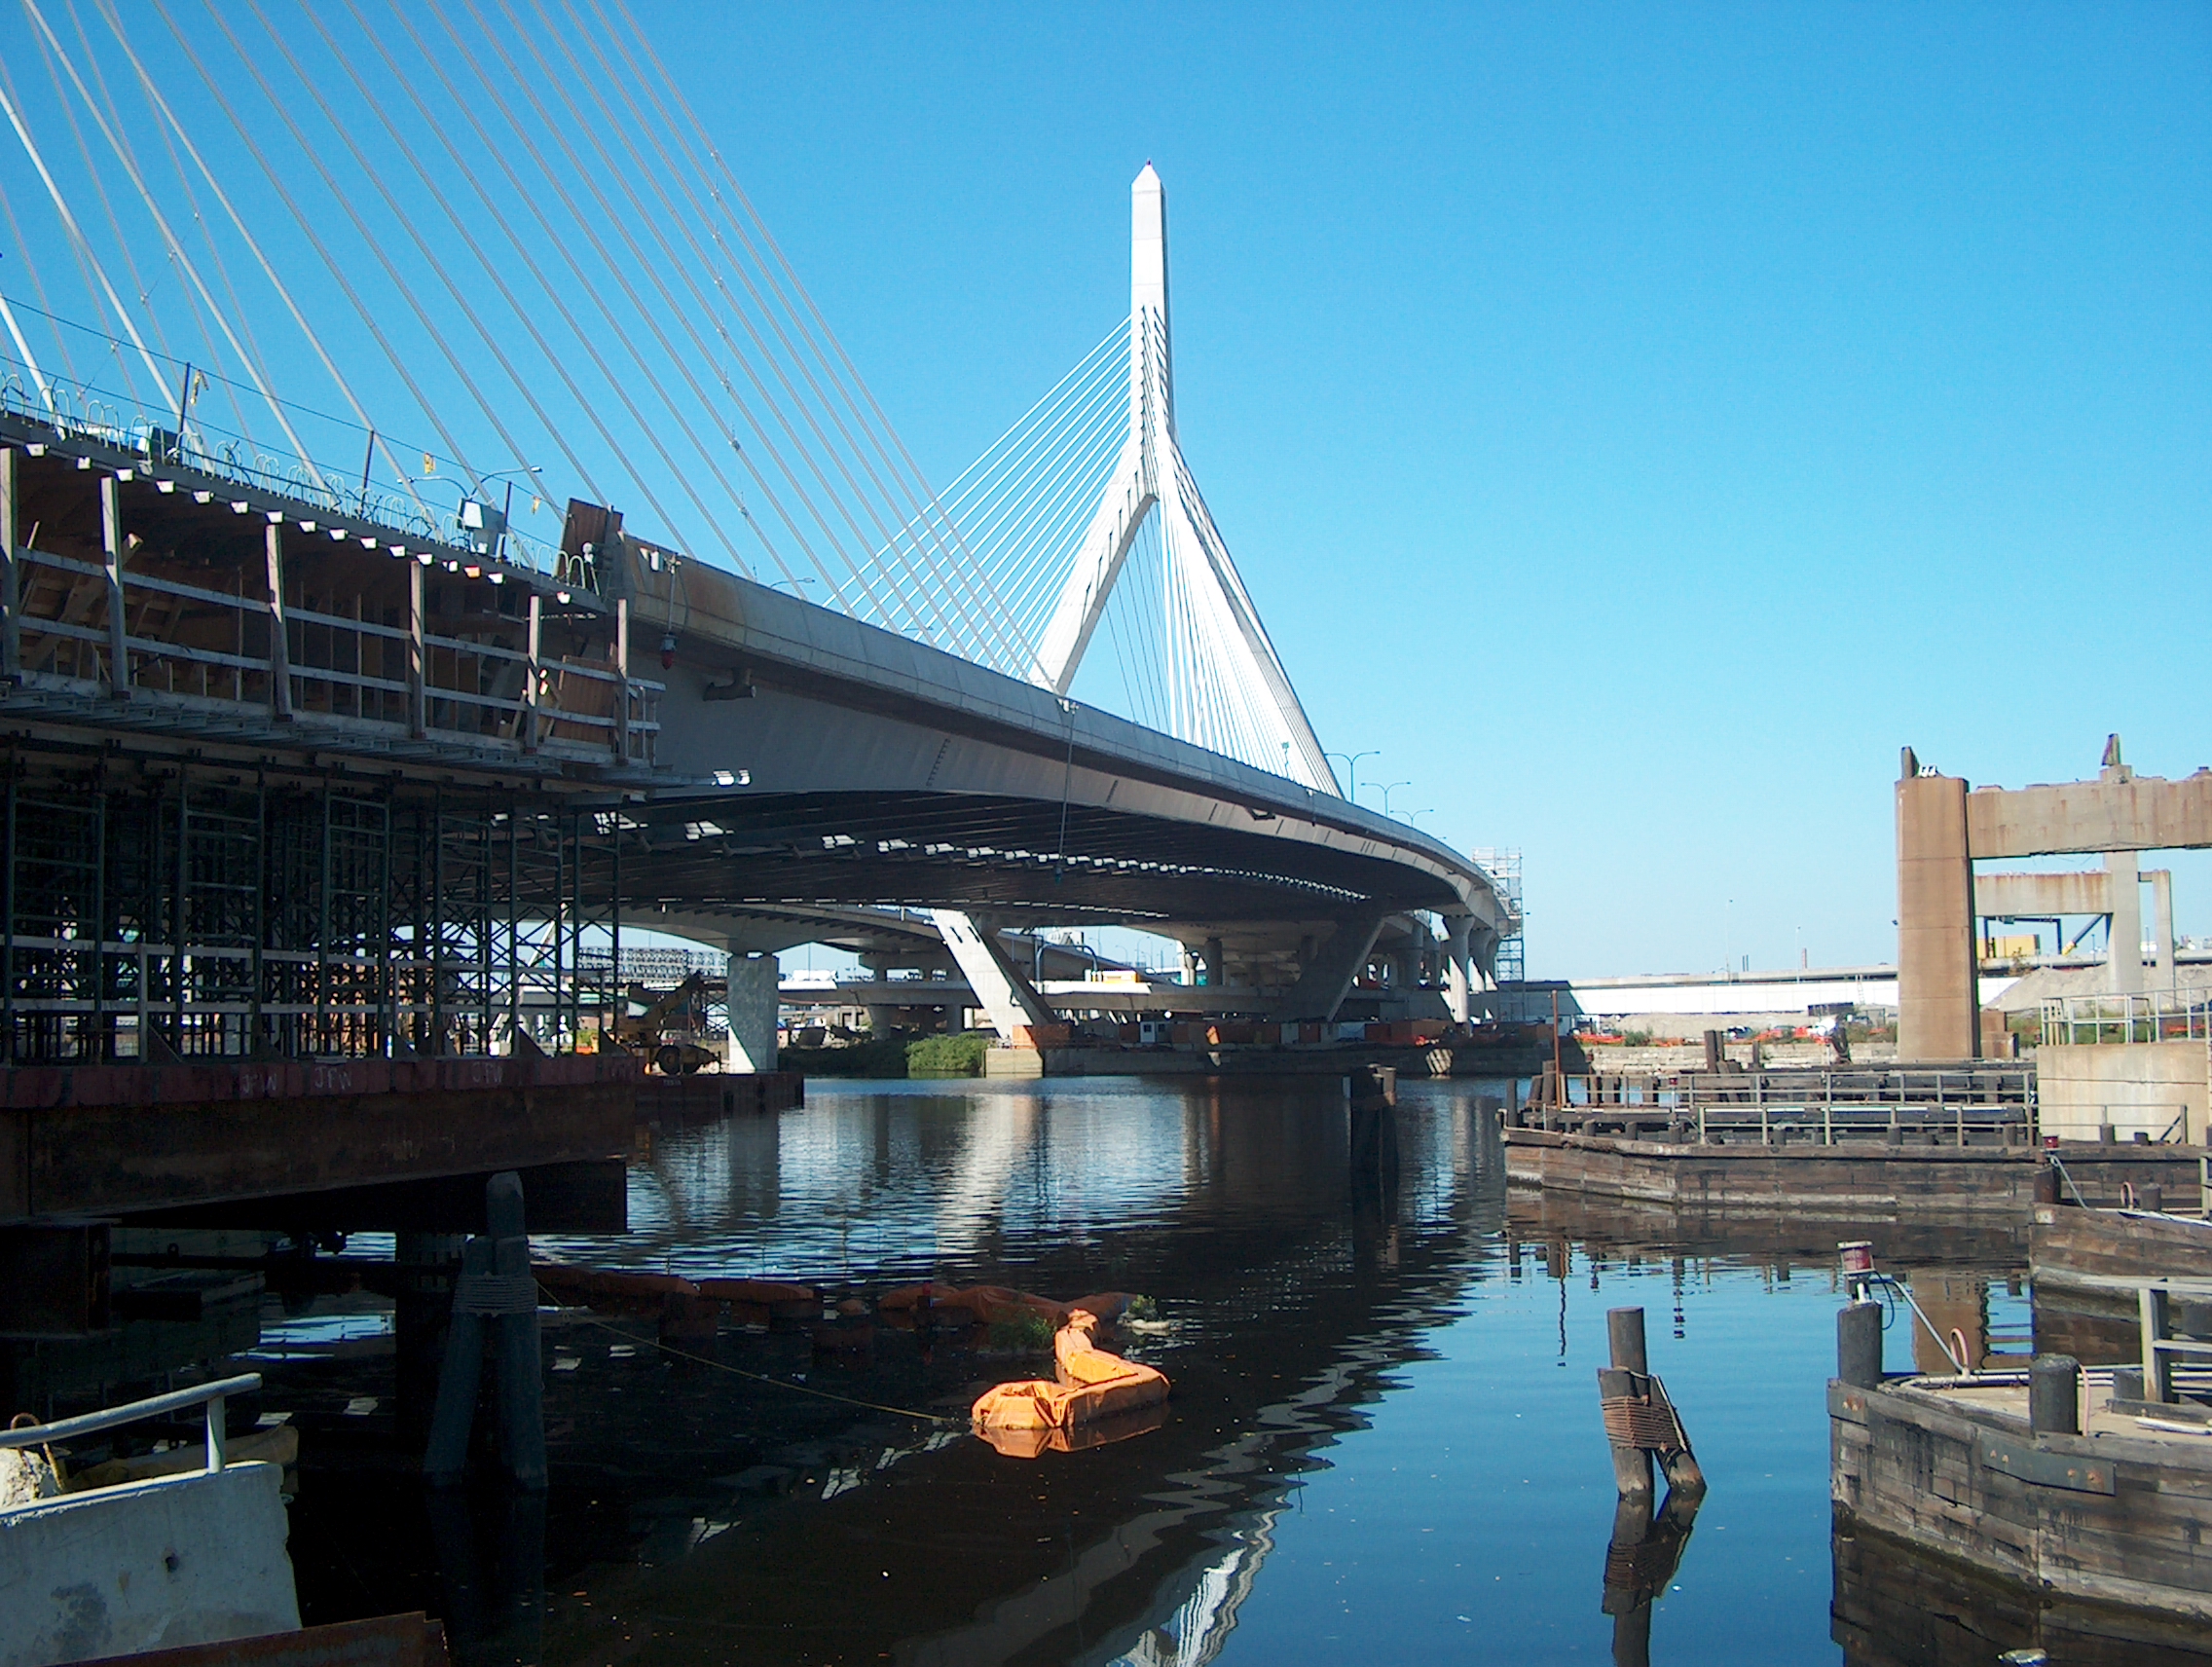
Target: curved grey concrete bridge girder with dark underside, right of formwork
[844,709]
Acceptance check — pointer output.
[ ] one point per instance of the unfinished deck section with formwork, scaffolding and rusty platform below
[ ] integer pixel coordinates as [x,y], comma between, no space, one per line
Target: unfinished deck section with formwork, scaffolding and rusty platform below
[293,790]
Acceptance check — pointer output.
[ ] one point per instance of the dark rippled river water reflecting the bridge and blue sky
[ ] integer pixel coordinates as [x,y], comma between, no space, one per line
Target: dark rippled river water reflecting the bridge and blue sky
[1384,1440]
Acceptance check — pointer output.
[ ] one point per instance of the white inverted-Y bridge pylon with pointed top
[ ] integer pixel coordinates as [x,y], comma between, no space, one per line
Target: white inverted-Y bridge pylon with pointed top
[1227,686]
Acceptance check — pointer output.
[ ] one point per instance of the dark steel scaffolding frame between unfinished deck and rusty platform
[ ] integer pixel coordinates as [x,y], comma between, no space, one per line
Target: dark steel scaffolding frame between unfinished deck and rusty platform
[187,914]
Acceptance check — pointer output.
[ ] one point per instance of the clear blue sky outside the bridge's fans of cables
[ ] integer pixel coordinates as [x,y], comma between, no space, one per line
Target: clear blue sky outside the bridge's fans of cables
[1638,423]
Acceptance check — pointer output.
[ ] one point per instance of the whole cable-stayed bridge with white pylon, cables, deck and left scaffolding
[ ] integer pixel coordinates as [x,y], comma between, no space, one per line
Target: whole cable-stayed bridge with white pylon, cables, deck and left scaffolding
[340,744]
